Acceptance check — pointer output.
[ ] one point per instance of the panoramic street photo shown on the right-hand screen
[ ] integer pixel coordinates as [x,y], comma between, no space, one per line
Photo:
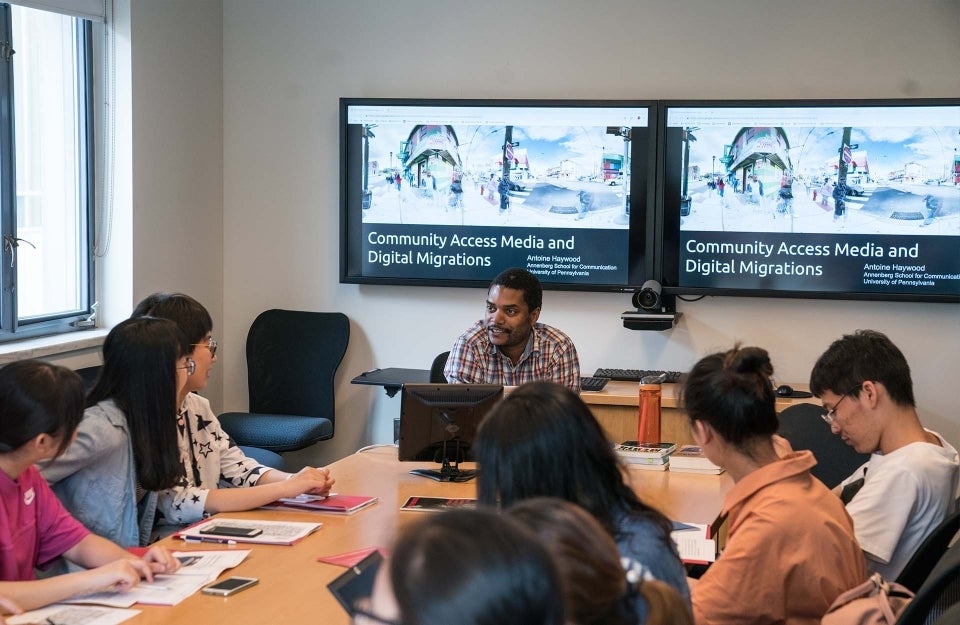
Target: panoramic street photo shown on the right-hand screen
[871,180]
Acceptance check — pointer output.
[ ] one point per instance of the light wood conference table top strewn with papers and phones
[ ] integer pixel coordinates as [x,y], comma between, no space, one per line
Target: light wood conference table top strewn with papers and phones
[293,584]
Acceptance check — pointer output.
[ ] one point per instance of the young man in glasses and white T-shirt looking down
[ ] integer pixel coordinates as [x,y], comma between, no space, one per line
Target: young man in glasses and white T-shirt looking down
[909,485]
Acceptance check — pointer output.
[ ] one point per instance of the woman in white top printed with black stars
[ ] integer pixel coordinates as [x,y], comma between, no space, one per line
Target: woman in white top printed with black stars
[218,476]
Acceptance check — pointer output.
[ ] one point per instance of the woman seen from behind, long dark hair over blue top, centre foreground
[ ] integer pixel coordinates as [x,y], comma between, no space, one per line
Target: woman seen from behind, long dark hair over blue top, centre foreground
[543,441]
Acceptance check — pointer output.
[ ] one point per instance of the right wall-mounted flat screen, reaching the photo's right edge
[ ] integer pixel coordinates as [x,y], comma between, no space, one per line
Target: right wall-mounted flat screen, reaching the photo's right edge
[839,199]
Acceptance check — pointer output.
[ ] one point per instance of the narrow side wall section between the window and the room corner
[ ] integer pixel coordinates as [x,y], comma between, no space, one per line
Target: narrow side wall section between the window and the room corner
[176,60]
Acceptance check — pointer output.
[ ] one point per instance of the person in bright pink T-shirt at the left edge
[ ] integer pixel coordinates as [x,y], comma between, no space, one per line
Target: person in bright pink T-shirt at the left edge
[40,407]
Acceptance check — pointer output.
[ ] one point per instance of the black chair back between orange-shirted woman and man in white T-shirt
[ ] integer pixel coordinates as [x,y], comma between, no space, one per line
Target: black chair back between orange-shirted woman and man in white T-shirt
[803,426]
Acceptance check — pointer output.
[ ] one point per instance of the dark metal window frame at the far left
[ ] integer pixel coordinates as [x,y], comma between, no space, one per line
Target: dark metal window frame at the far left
[12,327]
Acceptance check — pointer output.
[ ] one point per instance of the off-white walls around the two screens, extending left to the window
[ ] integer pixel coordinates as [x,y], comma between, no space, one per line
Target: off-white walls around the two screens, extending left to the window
[285,63]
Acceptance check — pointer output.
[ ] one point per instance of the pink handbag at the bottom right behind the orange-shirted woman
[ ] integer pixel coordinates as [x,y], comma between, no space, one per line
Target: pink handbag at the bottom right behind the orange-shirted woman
[874,602]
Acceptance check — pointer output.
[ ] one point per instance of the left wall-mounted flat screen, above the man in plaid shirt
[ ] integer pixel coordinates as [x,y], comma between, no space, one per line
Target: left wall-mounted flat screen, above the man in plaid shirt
[450,193]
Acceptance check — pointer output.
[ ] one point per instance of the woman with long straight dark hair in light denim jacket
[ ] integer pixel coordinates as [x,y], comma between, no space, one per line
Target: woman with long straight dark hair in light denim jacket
[126,445]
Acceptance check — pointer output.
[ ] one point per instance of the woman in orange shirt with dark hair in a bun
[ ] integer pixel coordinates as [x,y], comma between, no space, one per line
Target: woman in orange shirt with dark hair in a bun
[790,546]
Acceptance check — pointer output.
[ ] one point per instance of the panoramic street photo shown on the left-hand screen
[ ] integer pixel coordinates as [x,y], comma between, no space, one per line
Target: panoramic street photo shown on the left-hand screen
[553,176]
